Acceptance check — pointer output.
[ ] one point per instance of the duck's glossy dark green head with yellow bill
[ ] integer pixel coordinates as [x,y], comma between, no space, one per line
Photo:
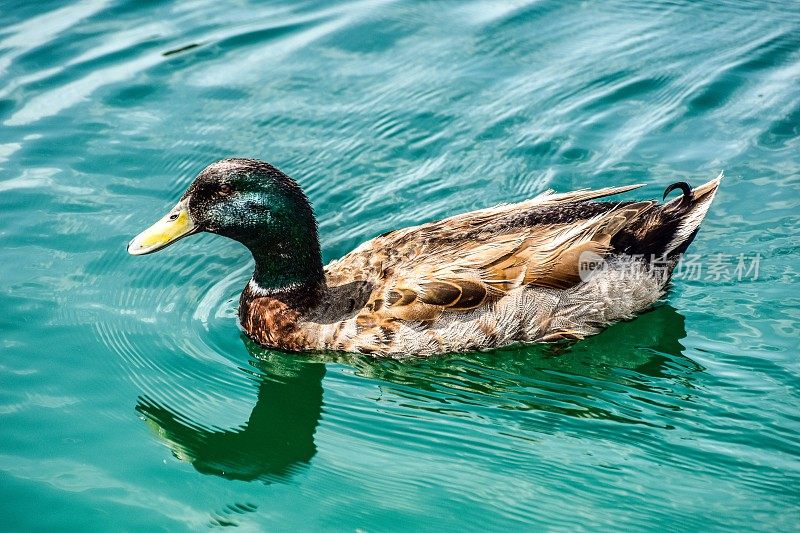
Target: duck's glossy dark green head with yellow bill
[249,201]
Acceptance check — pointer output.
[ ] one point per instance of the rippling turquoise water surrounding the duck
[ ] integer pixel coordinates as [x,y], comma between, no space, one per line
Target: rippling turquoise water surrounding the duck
[131,401]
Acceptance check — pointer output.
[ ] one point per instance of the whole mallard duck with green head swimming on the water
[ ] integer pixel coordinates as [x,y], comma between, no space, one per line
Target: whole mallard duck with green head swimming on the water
[558,266]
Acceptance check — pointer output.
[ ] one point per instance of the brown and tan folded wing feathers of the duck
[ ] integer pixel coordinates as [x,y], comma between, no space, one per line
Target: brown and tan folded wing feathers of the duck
[464,262]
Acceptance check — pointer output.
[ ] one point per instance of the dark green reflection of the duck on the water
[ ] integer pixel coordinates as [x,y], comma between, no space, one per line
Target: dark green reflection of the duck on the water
[643,355]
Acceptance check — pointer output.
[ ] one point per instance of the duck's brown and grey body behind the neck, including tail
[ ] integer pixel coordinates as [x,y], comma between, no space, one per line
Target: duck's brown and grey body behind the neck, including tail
[557,266]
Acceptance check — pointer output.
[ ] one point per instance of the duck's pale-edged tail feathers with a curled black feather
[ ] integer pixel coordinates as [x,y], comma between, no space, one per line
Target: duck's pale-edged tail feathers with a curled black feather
[689,210]
